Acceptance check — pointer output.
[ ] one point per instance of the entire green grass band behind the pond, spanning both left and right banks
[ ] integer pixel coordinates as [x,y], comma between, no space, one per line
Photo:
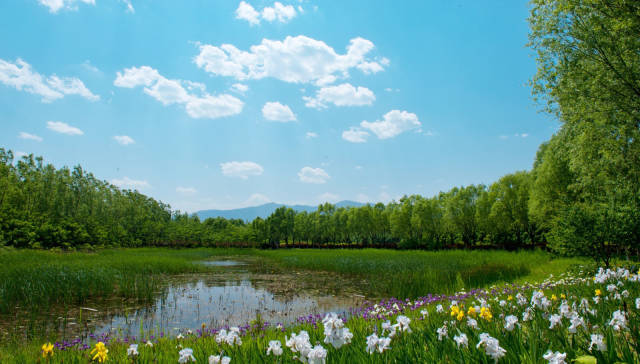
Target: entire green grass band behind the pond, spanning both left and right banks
[36,280]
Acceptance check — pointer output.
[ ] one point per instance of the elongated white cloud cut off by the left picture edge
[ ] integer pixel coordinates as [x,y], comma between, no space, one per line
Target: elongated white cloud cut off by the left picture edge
[21,76]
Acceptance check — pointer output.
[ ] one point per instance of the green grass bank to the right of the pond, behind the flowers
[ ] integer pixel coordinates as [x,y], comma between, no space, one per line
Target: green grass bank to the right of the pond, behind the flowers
[410,274]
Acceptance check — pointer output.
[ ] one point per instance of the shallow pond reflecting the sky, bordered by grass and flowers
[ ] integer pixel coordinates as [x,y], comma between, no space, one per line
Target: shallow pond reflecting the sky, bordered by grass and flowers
[235,293]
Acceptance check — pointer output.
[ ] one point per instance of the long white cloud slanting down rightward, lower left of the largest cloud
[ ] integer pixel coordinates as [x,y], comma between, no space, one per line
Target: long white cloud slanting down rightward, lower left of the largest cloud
[198,103]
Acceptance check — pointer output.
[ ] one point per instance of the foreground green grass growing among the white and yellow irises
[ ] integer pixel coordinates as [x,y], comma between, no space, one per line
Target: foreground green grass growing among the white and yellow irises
[526,343]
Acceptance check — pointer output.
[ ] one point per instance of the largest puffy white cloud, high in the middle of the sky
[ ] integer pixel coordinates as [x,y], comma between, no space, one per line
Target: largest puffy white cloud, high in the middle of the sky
[297,59]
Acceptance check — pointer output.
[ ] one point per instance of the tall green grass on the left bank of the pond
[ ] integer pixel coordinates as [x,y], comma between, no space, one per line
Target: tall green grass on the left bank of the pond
[35,280]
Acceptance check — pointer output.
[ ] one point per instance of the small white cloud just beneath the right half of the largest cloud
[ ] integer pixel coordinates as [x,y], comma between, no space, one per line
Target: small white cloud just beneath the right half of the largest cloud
[340,95]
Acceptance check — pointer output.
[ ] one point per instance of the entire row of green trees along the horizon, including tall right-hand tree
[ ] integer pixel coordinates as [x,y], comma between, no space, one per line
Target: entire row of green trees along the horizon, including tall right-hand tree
[581,197]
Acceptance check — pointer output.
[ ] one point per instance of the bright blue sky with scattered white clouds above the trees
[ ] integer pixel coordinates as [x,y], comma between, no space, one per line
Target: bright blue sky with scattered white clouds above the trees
[211,104]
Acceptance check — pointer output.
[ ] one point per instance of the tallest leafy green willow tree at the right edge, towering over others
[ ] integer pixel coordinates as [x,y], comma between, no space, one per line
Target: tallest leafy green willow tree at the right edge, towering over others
[588,55]
